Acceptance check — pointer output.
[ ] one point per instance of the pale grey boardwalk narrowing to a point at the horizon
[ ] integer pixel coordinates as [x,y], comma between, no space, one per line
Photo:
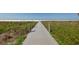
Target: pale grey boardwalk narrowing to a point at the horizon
[39,36]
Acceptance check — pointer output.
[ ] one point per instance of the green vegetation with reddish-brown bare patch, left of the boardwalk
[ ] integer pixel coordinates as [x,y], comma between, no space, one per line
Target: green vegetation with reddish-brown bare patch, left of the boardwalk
[14,32]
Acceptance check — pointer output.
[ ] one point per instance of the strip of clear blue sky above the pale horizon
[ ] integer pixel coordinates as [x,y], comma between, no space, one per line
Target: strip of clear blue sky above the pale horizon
[40,16]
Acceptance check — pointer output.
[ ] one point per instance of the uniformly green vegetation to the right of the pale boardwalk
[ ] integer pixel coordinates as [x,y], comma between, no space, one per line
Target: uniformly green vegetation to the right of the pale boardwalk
[65,32]
